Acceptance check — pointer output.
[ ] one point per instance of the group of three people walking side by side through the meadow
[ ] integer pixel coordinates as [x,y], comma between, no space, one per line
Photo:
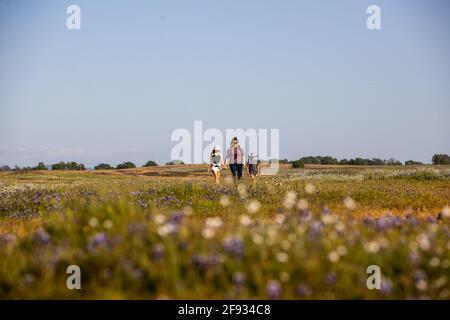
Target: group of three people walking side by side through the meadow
[235,158]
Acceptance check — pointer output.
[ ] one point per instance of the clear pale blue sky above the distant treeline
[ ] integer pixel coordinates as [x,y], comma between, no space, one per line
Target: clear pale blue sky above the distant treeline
[116,89]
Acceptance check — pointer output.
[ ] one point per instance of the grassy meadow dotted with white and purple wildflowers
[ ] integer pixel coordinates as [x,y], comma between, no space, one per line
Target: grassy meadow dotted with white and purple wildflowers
[170,232]
